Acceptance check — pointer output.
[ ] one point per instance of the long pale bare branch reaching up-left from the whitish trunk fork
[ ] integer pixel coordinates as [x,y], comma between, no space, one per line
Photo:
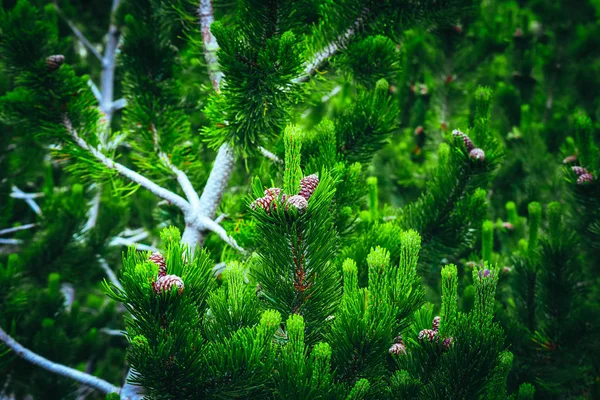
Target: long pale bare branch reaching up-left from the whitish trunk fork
[126,172]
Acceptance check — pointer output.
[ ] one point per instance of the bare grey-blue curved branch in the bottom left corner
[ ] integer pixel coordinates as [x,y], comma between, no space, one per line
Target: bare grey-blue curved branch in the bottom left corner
[59,369]
